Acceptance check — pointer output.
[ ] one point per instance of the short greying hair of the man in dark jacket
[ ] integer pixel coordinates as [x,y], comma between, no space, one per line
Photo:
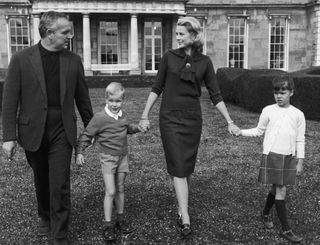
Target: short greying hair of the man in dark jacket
[48,20]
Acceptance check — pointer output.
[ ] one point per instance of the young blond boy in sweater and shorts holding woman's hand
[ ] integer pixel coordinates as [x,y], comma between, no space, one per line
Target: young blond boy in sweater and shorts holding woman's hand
[109,128]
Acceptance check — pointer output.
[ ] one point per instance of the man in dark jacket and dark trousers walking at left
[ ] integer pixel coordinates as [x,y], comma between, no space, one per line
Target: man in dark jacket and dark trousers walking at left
[42,84]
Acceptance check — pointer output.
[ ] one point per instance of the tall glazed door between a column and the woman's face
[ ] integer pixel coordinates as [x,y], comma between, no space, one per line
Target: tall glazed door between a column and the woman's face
[153,45]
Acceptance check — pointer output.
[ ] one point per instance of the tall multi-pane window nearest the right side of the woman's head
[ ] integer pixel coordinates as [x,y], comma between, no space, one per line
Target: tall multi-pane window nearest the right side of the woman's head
[237,42]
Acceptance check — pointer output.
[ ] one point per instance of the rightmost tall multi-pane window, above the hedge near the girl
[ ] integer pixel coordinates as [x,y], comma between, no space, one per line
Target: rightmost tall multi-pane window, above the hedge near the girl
[278,39]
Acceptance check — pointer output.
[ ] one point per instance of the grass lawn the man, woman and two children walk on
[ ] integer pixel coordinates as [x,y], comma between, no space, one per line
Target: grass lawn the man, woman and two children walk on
[225,197]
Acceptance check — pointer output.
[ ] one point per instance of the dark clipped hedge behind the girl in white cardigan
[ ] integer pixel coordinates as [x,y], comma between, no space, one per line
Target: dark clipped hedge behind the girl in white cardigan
[252,89]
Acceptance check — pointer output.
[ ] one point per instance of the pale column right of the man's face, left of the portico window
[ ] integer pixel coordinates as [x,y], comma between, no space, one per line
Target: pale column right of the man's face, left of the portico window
[86,44]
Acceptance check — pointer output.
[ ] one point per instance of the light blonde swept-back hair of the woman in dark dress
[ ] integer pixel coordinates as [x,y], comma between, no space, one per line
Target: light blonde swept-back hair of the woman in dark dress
[193,26]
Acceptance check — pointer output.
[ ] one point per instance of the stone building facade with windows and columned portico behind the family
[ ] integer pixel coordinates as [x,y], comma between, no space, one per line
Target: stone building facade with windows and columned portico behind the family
[129,37]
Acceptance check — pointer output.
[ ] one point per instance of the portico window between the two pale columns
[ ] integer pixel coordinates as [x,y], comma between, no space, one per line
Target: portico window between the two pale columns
[109,34]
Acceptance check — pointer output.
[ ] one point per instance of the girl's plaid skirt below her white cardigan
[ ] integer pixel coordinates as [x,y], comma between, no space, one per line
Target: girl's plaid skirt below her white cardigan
[277,169]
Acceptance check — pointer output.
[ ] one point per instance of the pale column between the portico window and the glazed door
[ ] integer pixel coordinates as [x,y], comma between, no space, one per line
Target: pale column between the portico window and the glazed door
[134,56]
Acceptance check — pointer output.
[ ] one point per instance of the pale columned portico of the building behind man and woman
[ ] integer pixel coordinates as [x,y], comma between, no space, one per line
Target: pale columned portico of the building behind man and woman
[112,37]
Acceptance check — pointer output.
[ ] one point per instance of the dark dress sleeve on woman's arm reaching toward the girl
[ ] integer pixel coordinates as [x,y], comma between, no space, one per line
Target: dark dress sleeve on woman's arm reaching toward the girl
[211,83]
